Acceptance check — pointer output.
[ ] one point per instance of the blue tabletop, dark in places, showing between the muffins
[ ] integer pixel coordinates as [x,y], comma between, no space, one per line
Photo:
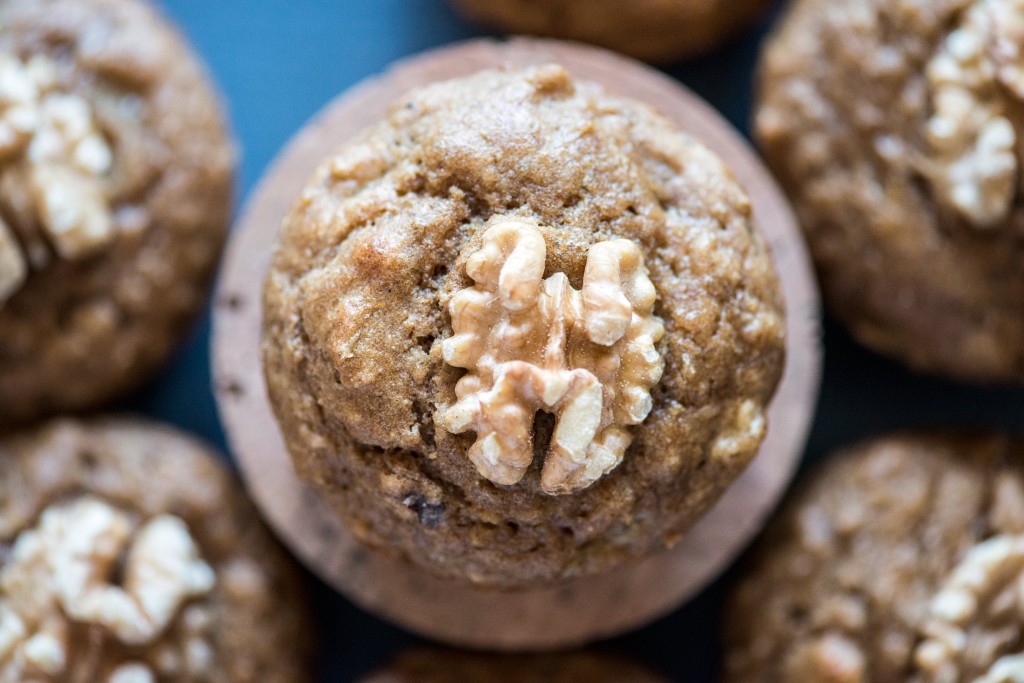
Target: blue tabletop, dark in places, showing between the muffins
[278,63]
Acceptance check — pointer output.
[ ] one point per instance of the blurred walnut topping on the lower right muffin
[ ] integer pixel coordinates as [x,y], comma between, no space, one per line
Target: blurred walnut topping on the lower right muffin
[976,616]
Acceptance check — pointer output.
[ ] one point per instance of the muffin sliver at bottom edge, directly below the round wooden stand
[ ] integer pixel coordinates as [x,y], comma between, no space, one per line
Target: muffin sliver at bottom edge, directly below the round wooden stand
[425,666]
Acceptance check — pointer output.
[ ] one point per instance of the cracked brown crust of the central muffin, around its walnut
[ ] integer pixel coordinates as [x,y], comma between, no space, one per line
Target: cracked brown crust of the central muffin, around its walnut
[357,317]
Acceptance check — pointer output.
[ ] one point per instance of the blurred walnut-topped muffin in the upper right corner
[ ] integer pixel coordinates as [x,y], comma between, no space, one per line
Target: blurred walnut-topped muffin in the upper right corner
[895,126]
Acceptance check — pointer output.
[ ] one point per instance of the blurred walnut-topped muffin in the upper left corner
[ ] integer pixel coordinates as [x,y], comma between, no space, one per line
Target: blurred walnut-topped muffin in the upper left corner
[116,179]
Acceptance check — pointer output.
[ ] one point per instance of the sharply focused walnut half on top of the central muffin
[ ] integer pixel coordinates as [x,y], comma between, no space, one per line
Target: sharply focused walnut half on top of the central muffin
[531,345]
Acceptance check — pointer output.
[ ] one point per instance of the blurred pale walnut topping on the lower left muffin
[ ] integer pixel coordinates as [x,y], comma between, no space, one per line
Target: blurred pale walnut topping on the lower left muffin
[59,572]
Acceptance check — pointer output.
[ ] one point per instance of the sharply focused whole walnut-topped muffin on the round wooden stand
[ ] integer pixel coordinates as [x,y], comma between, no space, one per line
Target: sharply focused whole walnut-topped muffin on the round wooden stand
[522,330]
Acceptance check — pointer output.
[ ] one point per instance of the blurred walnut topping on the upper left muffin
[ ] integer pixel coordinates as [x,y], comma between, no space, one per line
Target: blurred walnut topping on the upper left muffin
[52,141]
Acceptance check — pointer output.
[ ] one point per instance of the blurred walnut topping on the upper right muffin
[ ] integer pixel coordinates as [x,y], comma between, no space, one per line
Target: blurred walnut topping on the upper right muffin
[974,164]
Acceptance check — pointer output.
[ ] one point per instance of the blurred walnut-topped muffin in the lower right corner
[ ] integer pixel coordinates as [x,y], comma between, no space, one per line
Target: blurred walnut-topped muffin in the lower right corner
[902,561]
